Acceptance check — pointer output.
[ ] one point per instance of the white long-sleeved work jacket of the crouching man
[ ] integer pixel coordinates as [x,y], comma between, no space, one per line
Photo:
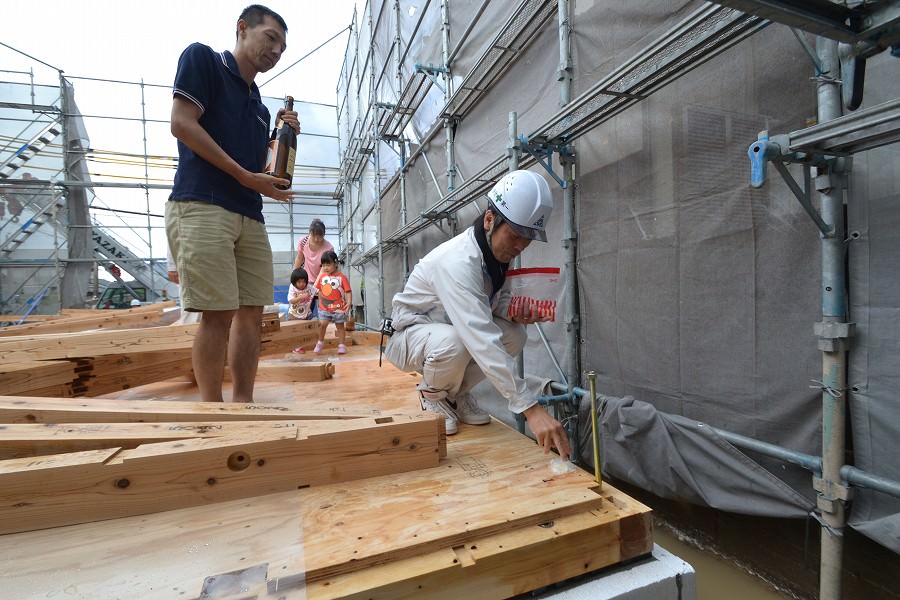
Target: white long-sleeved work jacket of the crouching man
[451,285]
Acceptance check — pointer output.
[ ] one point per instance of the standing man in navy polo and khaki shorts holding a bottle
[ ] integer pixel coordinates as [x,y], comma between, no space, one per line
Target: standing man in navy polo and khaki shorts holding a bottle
[214,220]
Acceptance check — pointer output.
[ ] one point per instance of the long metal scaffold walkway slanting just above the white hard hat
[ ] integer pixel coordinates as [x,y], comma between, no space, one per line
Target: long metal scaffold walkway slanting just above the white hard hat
[701,36]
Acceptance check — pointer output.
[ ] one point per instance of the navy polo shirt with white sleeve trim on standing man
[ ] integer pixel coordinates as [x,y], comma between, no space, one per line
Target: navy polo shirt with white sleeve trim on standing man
[235,118]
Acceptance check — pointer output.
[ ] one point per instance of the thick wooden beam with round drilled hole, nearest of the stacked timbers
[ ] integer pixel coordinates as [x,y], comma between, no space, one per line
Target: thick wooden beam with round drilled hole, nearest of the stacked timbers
[81,487]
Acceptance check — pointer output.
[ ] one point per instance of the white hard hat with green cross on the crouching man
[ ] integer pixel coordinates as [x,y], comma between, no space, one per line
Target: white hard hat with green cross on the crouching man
[523,200]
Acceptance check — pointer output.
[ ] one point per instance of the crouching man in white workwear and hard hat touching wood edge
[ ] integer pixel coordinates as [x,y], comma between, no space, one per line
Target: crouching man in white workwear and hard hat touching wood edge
[450,321]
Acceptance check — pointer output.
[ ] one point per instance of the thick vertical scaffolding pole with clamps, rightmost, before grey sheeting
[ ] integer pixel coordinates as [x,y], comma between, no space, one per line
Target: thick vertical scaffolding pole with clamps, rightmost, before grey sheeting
[832,494]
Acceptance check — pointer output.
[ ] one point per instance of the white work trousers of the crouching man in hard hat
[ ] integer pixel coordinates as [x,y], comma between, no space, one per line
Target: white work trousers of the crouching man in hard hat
[437,352]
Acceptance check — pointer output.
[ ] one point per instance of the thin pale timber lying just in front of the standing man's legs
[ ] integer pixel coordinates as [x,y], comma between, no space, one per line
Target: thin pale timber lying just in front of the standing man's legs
[23,409]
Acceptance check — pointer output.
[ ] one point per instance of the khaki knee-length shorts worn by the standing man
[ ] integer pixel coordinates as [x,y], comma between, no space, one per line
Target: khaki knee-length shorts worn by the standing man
[224,260]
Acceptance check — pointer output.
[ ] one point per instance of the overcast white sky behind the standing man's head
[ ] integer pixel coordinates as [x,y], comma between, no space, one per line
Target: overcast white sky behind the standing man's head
[131,41]
